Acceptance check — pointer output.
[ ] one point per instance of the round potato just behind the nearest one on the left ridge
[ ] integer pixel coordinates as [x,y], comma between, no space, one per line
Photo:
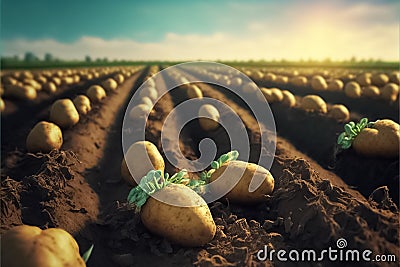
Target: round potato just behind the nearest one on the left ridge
[63,113]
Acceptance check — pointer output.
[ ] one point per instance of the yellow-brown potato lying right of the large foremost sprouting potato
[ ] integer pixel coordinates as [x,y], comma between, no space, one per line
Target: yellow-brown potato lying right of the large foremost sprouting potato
[240,193]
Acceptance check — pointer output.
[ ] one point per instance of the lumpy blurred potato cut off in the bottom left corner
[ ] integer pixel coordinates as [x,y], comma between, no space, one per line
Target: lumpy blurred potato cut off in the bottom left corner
[26,245]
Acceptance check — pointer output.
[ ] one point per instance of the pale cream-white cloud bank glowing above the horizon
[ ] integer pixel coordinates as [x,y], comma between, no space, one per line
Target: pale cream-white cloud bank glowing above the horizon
[311,32]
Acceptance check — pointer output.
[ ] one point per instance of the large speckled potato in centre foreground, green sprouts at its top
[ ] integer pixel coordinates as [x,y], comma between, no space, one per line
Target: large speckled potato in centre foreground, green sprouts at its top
[189,224]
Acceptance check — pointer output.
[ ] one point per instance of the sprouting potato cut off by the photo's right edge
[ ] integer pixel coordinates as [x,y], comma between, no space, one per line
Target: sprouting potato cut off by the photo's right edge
[381,140]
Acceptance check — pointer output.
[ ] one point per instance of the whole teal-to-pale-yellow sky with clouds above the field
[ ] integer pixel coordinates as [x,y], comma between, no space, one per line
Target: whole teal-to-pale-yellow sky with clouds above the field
[202,29]
